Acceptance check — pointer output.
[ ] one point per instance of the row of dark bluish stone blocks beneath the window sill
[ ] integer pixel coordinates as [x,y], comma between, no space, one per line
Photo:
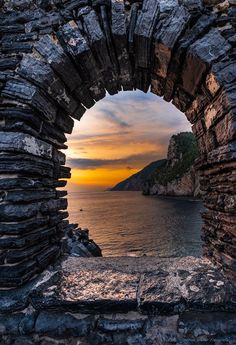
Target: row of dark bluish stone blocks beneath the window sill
[191,328]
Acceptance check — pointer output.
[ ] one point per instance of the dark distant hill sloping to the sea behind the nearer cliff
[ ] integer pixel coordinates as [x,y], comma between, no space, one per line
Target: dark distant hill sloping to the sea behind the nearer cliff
[137,181]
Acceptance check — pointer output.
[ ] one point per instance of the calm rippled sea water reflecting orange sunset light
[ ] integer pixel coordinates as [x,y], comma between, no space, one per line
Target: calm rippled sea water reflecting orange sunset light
[128,223]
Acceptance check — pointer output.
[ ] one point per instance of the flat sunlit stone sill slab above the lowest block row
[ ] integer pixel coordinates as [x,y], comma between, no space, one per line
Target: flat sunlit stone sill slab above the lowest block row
[148,285]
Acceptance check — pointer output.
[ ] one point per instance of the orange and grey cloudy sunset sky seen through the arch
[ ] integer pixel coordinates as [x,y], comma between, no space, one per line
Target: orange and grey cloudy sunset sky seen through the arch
[118,137]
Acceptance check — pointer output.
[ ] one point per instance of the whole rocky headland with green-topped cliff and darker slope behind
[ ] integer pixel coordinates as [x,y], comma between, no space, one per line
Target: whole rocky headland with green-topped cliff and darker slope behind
[172,176]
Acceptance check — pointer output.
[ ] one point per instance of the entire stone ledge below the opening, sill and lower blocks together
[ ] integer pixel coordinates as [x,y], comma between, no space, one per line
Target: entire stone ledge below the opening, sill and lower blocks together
[124,300]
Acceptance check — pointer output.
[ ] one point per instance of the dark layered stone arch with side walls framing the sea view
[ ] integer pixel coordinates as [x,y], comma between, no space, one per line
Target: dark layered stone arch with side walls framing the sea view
[59,58]
